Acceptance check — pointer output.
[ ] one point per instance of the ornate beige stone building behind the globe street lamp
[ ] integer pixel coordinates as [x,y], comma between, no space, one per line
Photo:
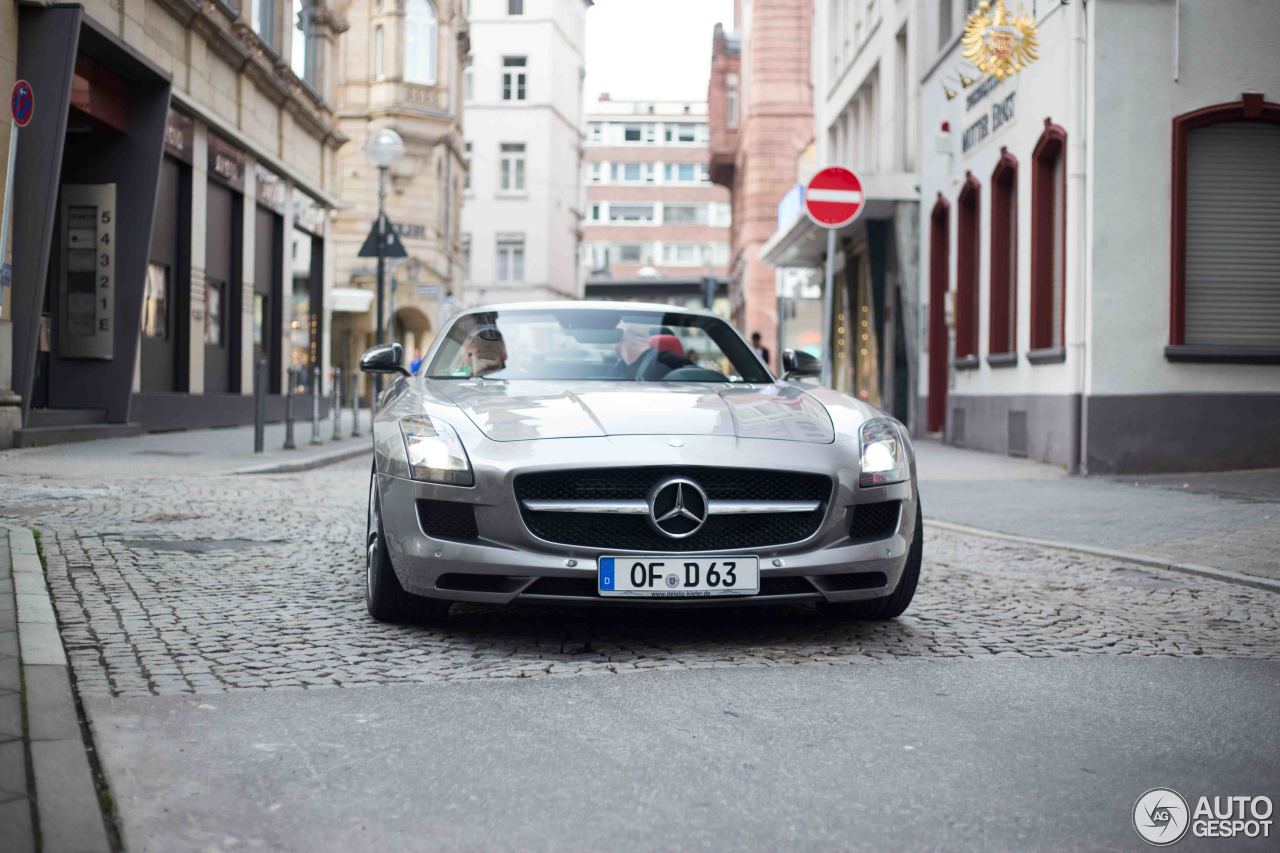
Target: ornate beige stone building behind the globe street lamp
[401,69]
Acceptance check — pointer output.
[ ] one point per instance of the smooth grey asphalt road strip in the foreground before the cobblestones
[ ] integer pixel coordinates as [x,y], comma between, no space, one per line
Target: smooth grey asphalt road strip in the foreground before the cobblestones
[947,755]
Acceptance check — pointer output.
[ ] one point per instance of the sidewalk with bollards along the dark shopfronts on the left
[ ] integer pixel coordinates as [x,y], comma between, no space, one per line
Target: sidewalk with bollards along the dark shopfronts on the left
[198,451]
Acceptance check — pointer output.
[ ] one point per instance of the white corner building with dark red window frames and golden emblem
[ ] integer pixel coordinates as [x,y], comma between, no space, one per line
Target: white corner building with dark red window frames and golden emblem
[1099,243]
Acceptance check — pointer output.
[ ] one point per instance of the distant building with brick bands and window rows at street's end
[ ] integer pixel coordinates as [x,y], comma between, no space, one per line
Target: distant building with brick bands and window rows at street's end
[653,220]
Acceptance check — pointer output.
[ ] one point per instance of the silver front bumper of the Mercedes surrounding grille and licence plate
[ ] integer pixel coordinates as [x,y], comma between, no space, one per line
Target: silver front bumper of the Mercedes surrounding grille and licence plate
[509,565]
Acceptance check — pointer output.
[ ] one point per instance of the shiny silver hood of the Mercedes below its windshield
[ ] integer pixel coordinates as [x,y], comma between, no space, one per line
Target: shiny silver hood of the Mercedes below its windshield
[514,412]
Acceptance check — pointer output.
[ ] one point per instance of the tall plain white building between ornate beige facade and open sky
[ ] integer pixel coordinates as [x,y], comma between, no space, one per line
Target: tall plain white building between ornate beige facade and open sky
[522,208]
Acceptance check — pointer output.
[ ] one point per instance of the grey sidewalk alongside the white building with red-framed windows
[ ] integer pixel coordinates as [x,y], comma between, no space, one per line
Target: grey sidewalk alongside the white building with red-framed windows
[1229,521]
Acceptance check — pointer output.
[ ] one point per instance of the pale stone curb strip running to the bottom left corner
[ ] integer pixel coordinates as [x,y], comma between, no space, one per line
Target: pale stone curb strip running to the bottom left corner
[67,802]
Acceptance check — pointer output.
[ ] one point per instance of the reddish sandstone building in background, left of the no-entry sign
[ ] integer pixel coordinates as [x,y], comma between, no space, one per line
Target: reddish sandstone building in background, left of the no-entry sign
[761,111]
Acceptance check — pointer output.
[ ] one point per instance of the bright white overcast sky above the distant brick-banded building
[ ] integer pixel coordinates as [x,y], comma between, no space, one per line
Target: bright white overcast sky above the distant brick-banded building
[652,49]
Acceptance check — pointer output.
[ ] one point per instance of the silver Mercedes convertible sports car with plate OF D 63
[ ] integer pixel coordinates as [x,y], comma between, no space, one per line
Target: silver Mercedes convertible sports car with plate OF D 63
[618,453]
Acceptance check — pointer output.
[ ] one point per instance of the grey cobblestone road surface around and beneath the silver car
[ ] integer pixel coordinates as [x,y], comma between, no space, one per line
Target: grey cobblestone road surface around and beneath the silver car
[182,585]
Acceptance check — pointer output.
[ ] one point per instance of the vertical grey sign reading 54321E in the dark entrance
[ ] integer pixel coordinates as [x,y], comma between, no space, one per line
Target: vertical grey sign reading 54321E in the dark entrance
[88,285]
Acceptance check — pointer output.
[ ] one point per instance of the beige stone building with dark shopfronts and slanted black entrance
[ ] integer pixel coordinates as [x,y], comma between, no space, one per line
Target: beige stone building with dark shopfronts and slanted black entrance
[171,213]
